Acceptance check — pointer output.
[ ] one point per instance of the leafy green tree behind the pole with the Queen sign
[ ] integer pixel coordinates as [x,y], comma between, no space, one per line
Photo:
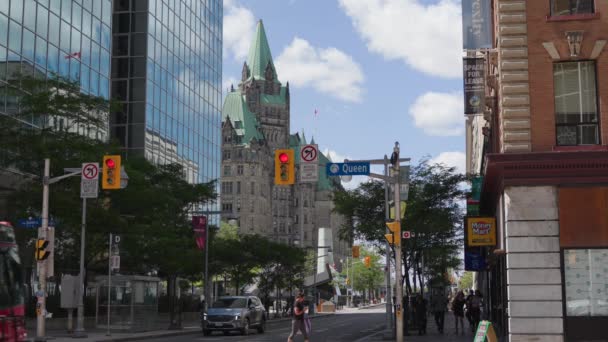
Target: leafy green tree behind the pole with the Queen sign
[433,215]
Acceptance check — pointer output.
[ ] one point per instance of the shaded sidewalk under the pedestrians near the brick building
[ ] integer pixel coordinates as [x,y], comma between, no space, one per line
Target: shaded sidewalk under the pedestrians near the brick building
[432,334]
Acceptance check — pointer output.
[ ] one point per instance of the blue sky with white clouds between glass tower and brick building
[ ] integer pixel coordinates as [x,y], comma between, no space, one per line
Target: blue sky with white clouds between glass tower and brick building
[375,71]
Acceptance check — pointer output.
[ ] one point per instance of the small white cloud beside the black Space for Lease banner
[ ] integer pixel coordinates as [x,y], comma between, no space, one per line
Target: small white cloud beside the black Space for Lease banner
[439,114]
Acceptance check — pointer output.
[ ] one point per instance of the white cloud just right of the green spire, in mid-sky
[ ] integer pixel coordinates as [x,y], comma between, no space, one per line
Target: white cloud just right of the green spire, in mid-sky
[327,70]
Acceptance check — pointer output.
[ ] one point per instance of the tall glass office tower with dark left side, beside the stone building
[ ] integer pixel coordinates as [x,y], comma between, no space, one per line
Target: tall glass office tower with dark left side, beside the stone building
[166,67]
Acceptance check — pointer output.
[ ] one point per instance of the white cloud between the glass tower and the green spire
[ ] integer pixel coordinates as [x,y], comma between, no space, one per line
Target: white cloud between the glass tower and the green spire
[239,29]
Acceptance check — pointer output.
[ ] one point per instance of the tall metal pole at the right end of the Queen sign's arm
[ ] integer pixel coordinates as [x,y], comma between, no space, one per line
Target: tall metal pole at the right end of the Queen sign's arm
[398,270]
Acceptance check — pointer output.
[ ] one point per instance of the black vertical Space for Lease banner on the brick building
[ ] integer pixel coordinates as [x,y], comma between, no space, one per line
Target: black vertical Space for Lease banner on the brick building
[474,85]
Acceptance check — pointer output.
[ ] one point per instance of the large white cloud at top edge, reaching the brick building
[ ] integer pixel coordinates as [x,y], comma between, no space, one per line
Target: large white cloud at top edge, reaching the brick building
[427,37]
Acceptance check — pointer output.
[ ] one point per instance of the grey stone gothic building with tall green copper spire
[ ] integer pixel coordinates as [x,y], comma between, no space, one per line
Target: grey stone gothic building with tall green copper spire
[256,121]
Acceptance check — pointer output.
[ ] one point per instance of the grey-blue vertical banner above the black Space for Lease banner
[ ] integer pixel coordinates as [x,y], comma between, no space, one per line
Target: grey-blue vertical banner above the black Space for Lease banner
[476,24]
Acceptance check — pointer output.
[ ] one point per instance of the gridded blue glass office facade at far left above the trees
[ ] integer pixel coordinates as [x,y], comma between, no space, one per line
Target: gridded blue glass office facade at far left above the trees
[69,38]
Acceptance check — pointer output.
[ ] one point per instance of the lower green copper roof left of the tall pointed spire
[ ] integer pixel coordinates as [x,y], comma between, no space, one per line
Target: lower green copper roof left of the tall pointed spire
[244,121]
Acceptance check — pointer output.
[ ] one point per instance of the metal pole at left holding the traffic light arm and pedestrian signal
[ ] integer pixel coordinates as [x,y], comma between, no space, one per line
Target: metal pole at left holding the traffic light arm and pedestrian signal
[41,304]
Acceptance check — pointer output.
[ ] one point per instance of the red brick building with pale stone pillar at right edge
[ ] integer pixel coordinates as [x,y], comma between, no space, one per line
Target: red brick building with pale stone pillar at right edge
[542,149]
